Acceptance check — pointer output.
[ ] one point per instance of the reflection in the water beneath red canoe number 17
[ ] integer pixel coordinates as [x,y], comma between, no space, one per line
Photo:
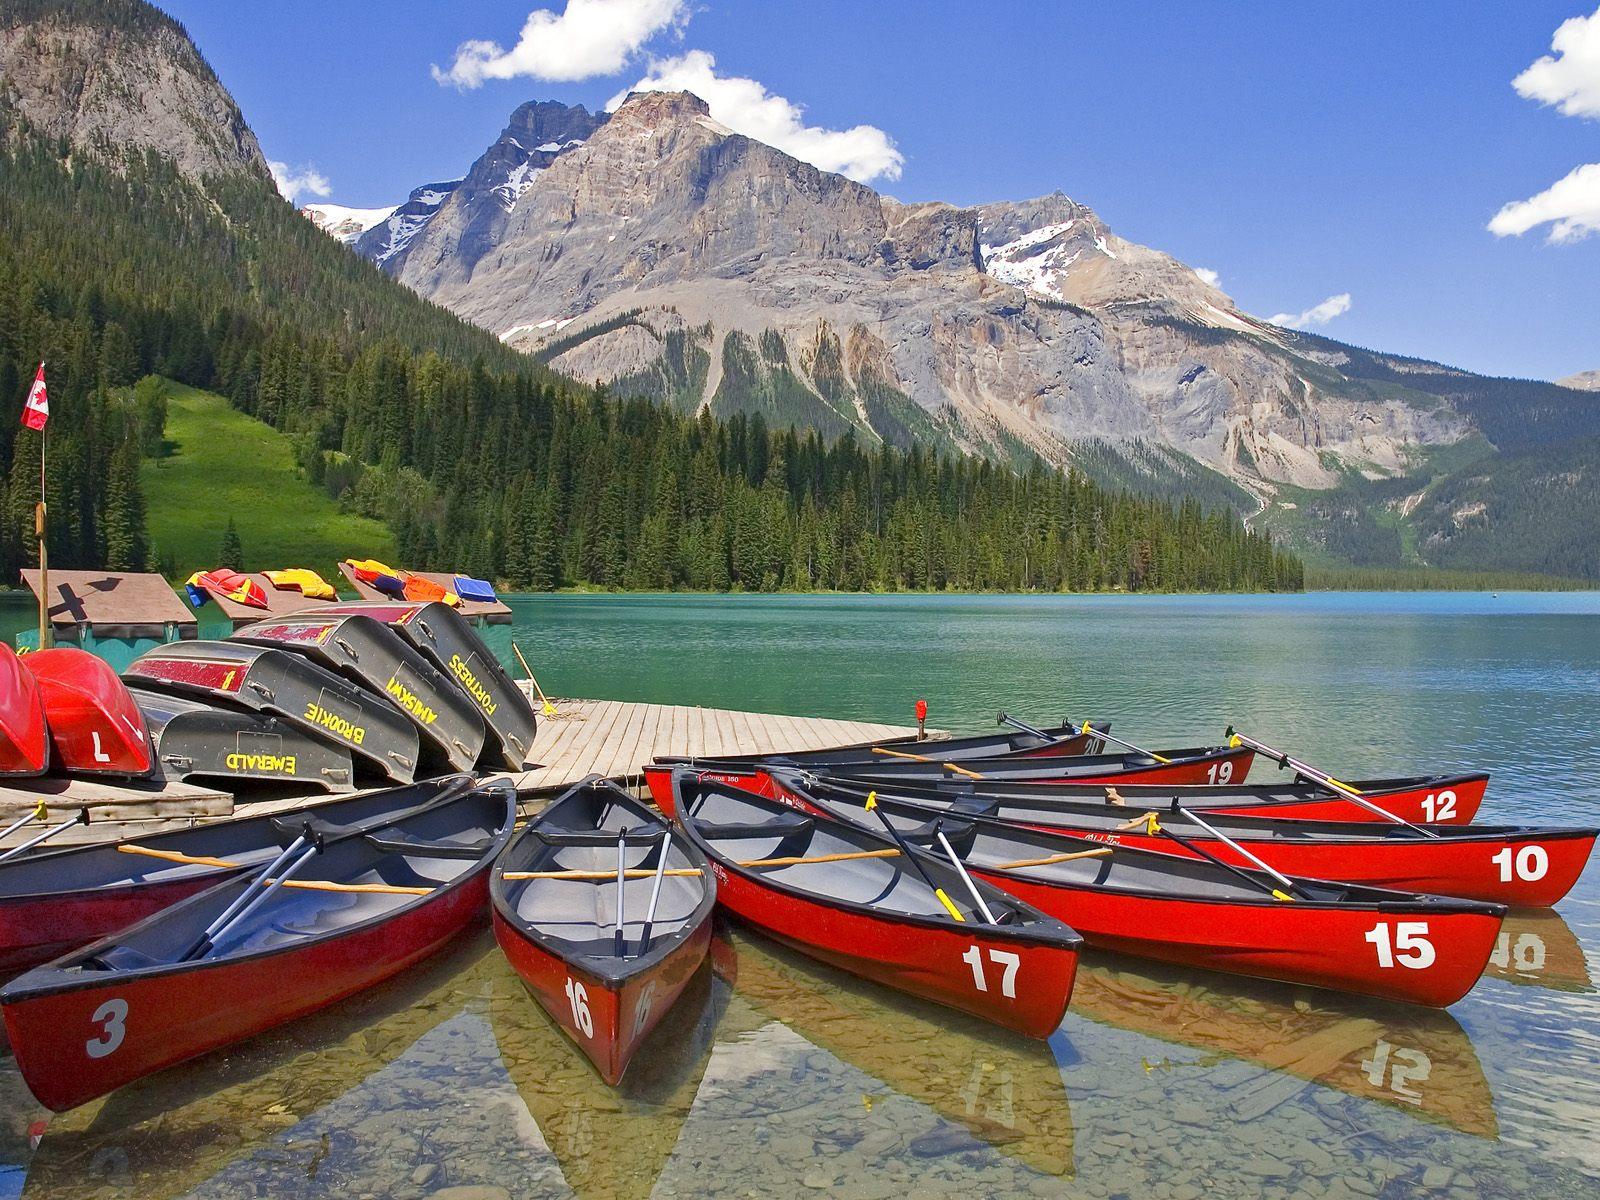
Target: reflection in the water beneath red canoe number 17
[1002,1087]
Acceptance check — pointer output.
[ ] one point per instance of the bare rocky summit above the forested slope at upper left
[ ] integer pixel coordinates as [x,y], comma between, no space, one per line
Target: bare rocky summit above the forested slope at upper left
[116,78]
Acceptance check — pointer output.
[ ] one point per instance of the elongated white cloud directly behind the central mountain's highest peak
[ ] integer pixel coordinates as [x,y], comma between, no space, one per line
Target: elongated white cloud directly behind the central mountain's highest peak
[862,153]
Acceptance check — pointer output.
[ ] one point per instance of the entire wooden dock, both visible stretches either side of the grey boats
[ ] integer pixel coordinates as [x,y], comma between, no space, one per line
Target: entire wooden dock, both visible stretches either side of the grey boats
[583,738]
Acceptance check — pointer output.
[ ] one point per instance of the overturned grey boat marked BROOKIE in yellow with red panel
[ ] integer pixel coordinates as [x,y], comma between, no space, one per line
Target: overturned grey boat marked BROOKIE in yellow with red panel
[286,686]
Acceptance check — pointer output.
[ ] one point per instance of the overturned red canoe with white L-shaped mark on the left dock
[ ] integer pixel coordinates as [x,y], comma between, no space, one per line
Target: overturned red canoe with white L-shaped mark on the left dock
[95,726]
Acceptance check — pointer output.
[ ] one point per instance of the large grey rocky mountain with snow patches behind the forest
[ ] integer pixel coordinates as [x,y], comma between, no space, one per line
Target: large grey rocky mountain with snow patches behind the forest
[658,252]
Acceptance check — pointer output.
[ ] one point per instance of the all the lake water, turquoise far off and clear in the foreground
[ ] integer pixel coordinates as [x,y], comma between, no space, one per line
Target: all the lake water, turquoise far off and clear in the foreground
[782,1078]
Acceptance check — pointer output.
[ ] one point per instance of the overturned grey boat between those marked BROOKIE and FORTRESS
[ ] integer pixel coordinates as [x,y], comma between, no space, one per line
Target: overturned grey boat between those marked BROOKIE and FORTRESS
[370,654]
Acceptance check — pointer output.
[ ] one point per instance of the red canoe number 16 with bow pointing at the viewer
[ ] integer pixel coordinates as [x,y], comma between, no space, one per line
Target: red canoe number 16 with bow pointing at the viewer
[606,951]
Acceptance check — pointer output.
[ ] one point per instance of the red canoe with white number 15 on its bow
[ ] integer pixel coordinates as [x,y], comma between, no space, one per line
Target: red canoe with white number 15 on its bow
[1393,945]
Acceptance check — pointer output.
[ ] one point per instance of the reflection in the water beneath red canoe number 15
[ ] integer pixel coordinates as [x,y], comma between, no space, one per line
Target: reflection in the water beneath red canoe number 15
[1417,1060]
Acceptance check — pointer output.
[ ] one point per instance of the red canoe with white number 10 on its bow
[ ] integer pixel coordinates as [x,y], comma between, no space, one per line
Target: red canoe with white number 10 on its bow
[1503,865]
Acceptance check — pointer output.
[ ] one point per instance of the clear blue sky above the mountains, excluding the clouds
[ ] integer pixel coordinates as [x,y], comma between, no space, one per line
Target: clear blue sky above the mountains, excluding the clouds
[1302,151]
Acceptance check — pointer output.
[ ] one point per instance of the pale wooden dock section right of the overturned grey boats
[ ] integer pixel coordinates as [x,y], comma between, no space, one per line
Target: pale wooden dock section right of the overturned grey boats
[618,737]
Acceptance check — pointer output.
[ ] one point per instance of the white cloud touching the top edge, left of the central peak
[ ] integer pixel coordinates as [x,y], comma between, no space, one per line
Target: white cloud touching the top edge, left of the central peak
[591,38]
